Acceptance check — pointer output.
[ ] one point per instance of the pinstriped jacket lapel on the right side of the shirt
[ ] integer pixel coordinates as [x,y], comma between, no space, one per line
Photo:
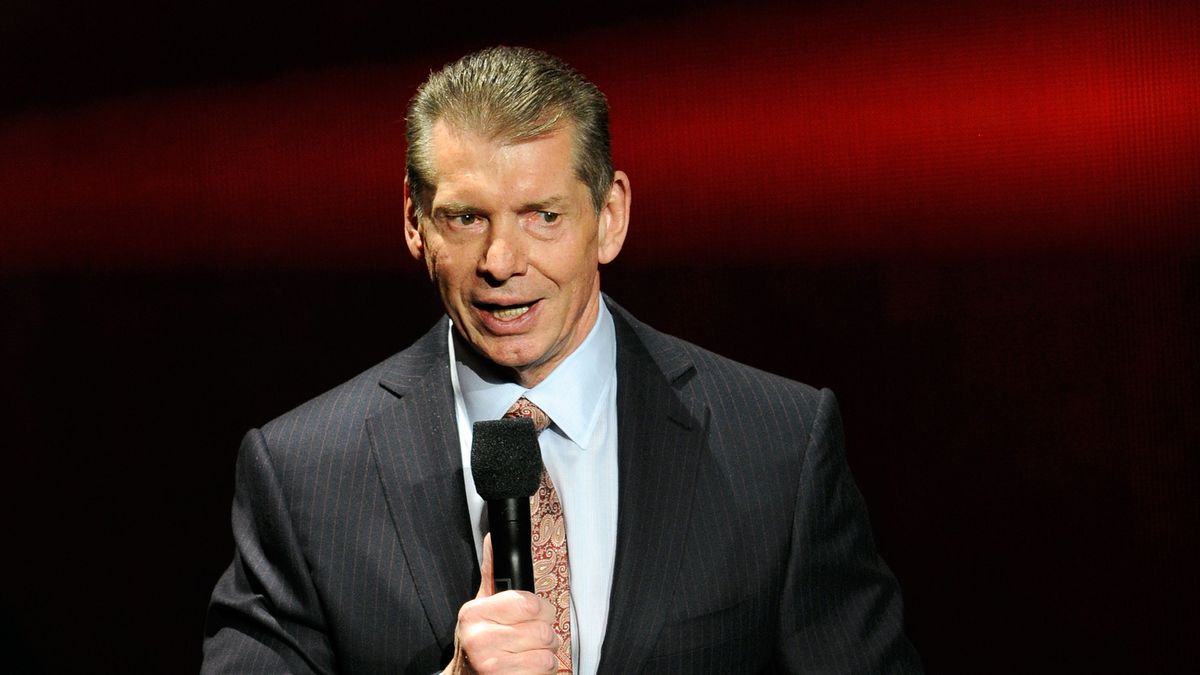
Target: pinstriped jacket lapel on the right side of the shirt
[661,441]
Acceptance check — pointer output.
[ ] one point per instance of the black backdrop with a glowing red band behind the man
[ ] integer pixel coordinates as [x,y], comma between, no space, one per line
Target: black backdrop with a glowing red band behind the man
[979,225]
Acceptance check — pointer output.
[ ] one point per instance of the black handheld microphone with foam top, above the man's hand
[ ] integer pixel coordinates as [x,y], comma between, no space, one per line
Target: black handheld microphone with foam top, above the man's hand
[506,462]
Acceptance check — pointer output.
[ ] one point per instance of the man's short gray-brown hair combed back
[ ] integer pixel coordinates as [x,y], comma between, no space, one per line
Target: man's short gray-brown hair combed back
[511,94]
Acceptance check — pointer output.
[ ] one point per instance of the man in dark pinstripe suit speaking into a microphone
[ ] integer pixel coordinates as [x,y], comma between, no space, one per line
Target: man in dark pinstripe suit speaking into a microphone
[711,521]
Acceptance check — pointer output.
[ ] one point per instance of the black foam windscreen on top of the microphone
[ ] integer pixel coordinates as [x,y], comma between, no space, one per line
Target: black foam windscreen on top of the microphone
[506,459]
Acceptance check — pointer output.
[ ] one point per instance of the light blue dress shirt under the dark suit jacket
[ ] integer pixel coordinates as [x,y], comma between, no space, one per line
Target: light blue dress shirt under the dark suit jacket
[580,453]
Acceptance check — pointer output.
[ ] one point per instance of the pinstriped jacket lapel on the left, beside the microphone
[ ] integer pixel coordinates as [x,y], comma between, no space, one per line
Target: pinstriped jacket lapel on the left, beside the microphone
[417,451]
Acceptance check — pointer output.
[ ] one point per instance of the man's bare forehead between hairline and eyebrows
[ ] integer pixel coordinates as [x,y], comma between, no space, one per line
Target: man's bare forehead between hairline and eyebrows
[470,166]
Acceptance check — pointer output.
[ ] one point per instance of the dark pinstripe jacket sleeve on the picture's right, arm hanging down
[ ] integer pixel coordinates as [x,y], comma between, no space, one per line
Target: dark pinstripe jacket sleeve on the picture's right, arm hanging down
[842,610]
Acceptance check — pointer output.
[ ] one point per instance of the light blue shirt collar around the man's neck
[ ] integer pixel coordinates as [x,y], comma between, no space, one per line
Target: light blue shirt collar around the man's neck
[571,395]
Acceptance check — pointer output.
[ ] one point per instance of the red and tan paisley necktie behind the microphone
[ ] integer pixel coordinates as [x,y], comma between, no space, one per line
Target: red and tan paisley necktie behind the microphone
[551,572]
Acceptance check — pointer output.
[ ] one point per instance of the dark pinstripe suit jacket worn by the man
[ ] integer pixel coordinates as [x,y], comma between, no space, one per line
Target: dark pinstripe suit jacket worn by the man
[743,545]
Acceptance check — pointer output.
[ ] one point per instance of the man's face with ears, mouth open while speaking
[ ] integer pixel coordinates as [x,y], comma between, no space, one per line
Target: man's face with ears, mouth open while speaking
[514,244]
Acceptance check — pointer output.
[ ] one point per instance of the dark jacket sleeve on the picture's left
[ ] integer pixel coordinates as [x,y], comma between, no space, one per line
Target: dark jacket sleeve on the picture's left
[265,616]
